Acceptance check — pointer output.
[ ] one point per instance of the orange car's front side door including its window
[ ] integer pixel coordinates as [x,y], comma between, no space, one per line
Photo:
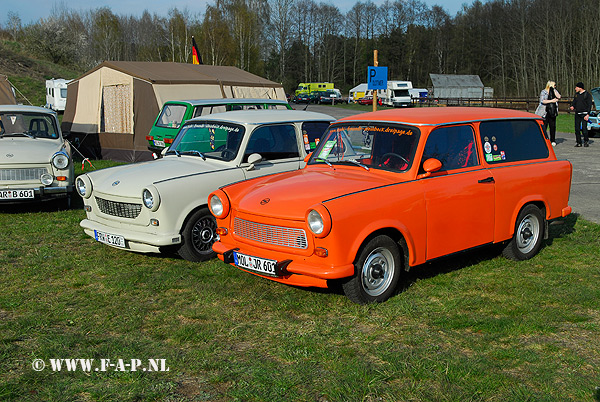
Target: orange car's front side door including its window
[459,198]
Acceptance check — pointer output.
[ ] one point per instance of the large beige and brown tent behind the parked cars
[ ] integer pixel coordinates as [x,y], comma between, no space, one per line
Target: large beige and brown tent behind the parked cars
[112,107]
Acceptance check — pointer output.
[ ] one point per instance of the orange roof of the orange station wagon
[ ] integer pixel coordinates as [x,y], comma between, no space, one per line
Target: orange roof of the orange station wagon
[439,115]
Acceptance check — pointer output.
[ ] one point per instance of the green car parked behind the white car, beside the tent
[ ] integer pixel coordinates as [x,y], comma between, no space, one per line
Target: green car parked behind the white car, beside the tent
[174,113]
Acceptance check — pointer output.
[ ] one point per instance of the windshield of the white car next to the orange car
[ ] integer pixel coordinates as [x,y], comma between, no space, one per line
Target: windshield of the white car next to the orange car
[214,140]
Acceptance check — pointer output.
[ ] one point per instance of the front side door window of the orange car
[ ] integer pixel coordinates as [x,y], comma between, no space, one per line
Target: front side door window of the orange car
[453,146]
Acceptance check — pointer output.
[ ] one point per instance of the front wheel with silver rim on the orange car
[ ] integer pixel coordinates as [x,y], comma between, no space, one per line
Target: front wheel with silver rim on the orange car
[376,272]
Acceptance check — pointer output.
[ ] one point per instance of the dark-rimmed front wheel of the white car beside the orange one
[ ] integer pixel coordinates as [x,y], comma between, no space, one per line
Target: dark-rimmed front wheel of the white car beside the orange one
[198,237]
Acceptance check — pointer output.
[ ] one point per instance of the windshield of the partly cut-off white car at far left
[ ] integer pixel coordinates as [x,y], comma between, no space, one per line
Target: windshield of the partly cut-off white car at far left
[33,125]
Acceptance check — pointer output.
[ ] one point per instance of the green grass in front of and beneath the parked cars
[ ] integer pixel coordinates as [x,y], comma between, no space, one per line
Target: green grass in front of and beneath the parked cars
[474,327]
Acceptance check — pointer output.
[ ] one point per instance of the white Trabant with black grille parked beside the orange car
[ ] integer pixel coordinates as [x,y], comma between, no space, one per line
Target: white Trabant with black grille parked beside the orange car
[161,205]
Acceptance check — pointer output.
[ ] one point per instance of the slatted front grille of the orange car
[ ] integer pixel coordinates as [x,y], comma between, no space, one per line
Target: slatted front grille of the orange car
[269,234]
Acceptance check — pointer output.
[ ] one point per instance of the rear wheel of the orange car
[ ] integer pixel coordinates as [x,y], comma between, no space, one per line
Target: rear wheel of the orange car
[528,236]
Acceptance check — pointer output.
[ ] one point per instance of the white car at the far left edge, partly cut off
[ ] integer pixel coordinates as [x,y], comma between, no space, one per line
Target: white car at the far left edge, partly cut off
[35,159]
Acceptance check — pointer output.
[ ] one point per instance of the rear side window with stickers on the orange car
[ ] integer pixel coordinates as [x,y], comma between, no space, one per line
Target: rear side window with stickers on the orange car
[512,140]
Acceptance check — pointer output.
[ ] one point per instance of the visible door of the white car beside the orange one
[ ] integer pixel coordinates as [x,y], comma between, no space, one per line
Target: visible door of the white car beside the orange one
[278,146]
